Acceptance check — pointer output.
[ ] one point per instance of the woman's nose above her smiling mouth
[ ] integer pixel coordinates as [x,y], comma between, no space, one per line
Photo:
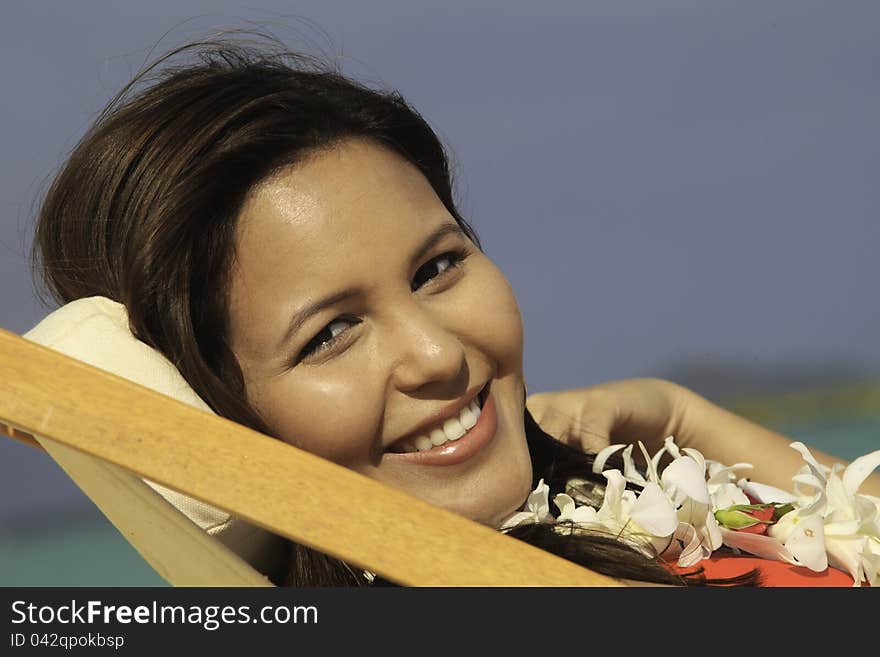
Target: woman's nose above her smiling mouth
[426,352]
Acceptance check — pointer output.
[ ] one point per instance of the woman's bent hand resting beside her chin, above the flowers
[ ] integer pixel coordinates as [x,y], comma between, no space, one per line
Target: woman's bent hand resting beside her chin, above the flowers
[616,412]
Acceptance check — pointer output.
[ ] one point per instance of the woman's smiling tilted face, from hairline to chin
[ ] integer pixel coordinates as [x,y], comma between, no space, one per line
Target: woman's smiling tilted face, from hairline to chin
[367,325]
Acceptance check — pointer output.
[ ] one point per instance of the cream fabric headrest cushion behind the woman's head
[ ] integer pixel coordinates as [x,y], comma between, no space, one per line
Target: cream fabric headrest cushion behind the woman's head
[95,330]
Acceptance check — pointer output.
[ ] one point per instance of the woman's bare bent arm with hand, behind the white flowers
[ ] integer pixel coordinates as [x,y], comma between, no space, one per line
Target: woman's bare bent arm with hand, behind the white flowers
[651,409]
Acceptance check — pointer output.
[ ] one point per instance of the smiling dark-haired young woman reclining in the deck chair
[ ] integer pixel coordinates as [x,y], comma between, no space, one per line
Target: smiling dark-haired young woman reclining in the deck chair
[288,239]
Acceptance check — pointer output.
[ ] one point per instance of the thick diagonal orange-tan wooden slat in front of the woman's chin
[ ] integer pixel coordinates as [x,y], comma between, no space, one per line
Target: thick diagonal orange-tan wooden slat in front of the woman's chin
[267,482]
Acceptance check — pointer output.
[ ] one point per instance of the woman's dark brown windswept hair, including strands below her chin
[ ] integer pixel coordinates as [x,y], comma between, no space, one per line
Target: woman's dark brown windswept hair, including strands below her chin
[143,212]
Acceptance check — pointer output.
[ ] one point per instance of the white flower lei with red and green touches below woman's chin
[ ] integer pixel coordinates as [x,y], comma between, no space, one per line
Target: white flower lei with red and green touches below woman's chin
[695,505]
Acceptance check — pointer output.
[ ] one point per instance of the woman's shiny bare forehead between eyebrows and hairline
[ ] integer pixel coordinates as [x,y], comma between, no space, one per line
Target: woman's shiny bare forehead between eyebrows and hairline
[355,195]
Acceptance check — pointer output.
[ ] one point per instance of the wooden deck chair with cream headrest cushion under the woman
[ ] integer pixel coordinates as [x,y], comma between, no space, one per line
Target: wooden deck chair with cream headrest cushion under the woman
[287,492]
